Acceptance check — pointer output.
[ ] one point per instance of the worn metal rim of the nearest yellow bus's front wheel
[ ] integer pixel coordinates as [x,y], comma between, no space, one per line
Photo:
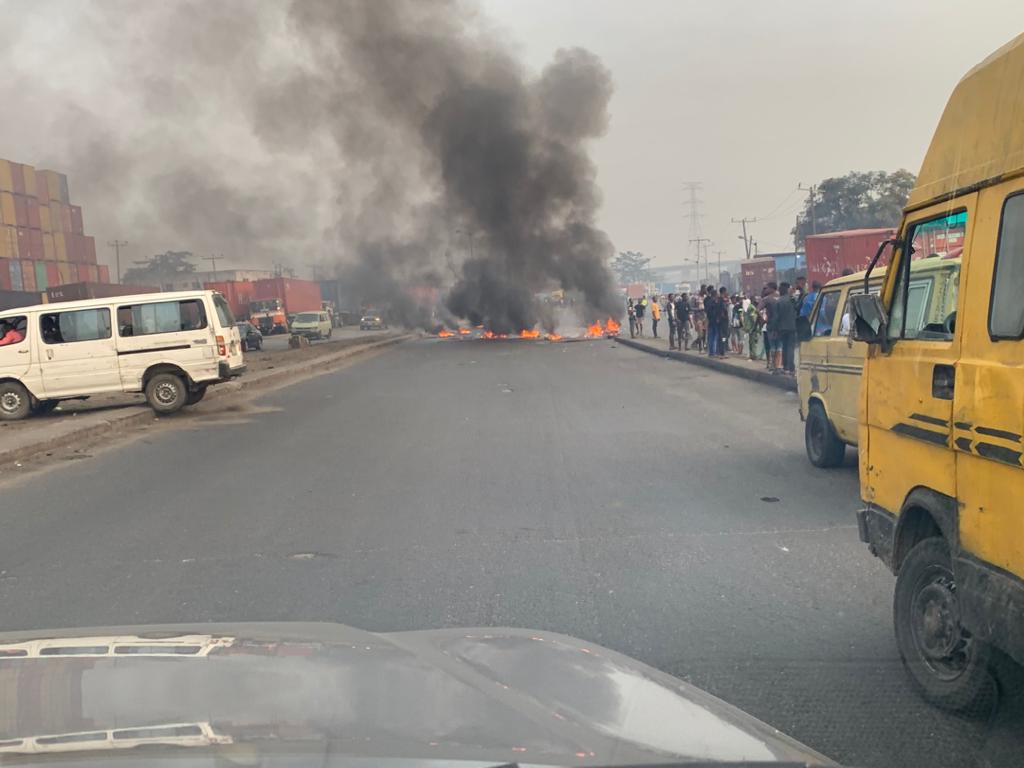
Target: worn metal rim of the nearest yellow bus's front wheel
[943,645]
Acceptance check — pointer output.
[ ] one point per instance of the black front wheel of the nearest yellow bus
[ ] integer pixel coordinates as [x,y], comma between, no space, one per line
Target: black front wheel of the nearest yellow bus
[949,667]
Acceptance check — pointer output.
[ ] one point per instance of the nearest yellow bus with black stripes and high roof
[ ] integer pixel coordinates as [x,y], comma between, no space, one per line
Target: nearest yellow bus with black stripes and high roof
[942,413]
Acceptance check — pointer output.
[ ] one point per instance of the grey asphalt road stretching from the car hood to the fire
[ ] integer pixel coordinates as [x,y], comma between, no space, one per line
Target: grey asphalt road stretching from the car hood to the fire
[658,508]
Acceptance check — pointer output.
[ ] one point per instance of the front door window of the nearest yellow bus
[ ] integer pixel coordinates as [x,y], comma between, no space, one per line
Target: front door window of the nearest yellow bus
[926,309]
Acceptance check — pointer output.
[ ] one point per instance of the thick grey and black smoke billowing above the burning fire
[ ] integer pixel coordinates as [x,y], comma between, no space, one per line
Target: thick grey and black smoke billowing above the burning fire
[376,138]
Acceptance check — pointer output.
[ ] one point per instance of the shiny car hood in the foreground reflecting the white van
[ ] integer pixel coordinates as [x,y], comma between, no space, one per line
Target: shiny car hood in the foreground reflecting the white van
[497,696]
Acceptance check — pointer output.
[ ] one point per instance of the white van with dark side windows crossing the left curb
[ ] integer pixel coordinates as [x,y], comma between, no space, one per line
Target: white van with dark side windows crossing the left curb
[169,346]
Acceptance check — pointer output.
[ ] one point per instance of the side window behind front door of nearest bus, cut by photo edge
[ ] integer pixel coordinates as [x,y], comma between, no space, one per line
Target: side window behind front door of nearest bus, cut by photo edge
[1006,316]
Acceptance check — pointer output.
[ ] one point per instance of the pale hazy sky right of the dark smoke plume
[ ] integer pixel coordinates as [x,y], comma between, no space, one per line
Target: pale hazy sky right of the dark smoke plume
[752,98]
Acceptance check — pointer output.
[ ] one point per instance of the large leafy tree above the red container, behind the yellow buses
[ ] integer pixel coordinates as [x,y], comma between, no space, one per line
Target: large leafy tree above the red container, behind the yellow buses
[857,201]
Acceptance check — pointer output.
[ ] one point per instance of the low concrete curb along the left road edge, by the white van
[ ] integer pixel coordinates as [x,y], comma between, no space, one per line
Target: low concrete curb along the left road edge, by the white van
[143,414]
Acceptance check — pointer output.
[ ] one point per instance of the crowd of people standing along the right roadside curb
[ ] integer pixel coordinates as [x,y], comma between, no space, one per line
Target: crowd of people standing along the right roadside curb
[715,323]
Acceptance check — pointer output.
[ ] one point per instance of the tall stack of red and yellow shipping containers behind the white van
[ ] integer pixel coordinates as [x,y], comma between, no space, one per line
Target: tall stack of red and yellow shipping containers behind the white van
[42,237]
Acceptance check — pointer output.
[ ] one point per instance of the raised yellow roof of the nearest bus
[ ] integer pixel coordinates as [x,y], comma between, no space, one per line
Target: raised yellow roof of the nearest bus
[982,134]
